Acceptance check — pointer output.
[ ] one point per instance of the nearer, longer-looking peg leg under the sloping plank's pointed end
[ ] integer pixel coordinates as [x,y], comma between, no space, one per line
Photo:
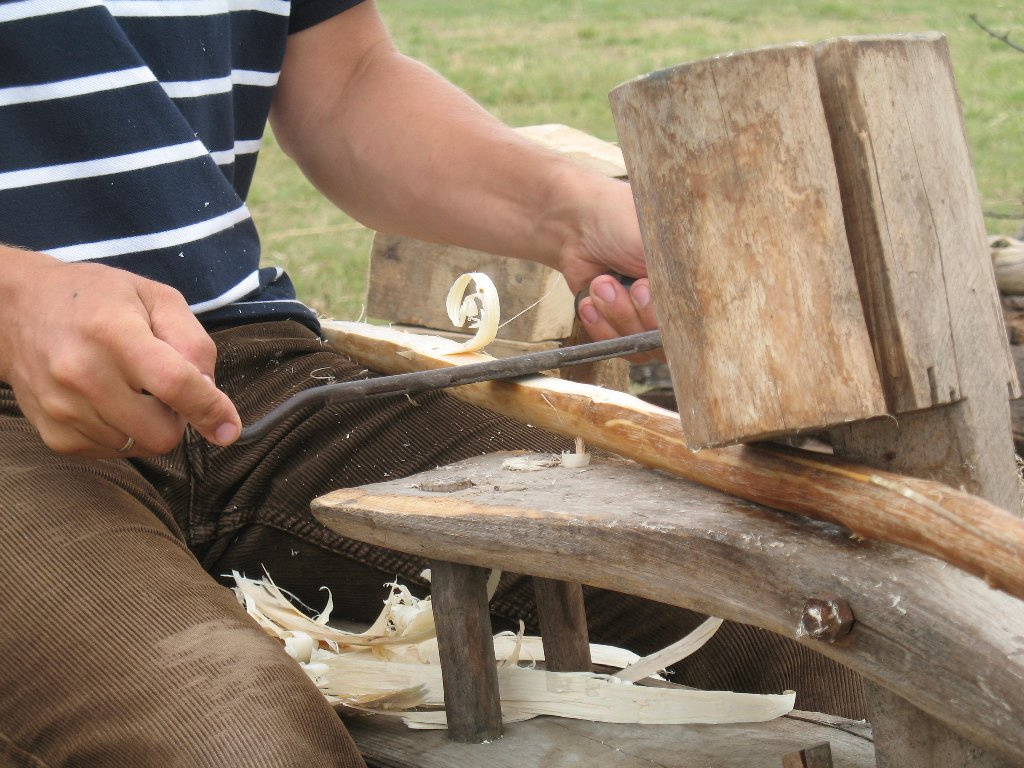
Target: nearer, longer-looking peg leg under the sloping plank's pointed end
[459,594]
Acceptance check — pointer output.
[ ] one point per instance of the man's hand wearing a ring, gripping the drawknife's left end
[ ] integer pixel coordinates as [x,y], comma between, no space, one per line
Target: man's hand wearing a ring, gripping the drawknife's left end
[97,356]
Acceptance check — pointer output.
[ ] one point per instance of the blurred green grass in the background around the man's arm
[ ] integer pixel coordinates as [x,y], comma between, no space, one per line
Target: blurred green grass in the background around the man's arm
[534,63]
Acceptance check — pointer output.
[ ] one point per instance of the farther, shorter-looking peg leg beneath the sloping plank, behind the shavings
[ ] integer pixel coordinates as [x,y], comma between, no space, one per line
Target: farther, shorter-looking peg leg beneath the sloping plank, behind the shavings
[564,625]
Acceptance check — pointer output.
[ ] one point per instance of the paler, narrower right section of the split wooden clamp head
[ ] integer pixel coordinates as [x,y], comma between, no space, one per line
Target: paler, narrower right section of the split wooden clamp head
[913,215]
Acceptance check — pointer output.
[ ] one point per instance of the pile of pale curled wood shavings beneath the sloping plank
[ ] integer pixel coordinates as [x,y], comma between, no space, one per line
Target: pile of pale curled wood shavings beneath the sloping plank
[393,668]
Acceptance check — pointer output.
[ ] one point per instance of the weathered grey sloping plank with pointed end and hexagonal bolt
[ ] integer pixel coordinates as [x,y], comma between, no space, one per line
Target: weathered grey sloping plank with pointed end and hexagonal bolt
[937,636]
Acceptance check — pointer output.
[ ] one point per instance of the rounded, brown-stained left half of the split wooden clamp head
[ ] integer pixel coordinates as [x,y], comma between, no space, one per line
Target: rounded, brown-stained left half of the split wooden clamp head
[740,207]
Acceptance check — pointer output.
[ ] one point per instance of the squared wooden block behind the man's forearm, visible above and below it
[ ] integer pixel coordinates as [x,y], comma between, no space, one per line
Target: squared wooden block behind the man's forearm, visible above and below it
[409,279]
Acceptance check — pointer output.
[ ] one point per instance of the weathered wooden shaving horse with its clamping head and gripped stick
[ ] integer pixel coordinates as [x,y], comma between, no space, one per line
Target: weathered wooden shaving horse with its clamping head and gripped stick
[820,266]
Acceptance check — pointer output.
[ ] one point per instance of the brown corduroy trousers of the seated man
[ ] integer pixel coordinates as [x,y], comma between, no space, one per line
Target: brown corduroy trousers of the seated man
[121,647]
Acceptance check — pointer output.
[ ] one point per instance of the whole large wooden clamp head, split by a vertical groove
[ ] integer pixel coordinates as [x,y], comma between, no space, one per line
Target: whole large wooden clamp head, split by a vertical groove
[782,202]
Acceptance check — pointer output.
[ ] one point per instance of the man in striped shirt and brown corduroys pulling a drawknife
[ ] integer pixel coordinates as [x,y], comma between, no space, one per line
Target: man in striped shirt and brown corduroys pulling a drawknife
[141,331]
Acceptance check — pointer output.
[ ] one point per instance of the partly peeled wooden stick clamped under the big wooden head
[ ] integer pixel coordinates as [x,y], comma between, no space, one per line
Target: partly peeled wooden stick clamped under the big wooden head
[958,528]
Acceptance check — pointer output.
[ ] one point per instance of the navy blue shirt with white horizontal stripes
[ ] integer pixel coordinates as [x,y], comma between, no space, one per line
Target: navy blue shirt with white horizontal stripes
[130,132]
